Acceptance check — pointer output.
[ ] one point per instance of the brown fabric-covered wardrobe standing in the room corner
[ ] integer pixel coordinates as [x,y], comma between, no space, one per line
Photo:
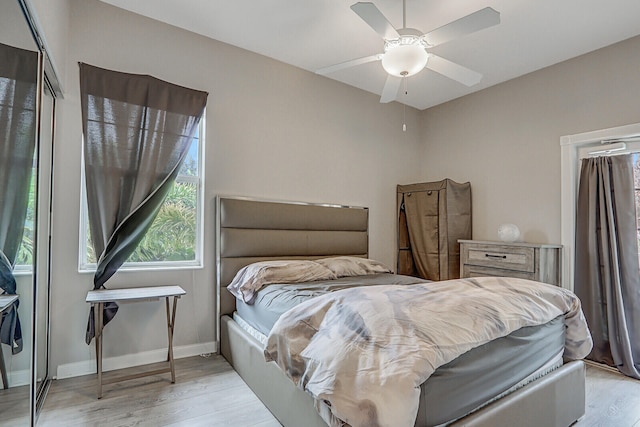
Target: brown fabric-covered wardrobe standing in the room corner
[432,217]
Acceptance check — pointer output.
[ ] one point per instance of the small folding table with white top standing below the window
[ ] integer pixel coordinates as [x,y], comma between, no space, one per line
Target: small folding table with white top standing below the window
[98,298]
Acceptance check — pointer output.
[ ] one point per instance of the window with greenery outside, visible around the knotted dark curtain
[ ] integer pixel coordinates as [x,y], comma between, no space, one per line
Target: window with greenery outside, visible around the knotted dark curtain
[175,237]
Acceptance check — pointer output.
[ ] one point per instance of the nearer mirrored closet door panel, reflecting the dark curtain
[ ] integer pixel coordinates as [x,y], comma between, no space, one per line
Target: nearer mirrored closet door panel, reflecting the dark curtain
[19,80]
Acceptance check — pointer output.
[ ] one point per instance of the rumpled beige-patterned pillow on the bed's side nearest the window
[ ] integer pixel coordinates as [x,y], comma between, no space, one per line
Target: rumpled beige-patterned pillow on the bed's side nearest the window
[250,279]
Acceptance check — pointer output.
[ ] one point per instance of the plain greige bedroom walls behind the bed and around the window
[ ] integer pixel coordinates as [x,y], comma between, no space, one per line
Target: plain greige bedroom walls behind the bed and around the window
[274,131]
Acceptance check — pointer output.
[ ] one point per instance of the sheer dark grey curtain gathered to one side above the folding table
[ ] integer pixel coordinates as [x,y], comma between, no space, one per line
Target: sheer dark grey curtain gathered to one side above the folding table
[137,131]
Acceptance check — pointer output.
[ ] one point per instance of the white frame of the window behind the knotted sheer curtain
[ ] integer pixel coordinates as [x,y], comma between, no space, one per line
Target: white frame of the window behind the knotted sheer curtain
[86,267]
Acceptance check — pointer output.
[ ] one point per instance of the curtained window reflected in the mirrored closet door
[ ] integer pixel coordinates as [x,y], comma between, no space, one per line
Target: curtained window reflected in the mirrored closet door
[18,130]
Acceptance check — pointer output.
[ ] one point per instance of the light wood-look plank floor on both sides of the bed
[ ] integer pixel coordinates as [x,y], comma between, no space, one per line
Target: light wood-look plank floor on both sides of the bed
[208,392]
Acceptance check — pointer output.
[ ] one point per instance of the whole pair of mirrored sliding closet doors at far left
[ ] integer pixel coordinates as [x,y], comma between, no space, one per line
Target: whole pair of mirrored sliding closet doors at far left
[27,105]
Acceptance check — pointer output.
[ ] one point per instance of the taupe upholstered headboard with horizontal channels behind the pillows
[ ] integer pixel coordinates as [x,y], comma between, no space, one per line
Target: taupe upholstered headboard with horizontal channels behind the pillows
[250,230]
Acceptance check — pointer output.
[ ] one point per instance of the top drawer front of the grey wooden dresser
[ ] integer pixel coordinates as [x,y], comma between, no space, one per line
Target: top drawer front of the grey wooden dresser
[503,257]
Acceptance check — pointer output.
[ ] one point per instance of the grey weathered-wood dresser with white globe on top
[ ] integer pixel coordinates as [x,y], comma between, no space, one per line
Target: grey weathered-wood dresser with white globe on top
[542,263]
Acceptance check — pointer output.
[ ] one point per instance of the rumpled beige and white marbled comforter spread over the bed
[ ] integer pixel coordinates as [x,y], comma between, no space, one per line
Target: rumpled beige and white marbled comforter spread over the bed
[364,352]
